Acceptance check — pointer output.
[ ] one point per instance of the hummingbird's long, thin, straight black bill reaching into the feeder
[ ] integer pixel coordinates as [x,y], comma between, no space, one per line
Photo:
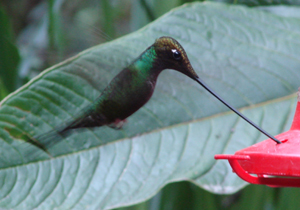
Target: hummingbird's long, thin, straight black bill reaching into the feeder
[236,111]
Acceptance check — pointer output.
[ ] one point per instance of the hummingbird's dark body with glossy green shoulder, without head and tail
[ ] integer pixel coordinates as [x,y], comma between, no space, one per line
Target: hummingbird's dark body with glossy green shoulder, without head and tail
[125,94]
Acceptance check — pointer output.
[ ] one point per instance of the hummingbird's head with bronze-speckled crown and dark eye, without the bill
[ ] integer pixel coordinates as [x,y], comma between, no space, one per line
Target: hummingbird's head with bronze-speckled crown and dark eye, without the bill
[171,55]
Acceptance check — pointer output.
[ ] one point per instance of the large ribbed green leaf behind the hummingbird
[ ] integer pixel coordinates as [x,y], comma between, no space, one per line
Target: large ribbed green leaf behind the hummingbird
[249,56]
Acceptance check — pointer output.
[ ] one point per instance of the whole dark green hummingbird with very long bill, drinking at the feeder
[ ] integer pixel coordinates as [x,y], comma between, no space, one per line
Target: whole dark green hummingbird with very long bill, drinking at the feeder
[131,89]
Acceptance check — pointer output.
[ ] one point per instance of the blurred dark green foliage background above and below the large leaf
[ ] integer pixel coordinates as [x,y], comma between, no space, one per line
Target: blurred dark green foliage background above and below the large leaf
[36,34]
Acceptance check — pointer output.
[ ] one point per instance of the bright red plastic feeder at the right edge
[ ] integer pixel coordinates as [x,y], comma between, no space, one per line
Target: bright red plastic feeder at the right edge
[269,163]
